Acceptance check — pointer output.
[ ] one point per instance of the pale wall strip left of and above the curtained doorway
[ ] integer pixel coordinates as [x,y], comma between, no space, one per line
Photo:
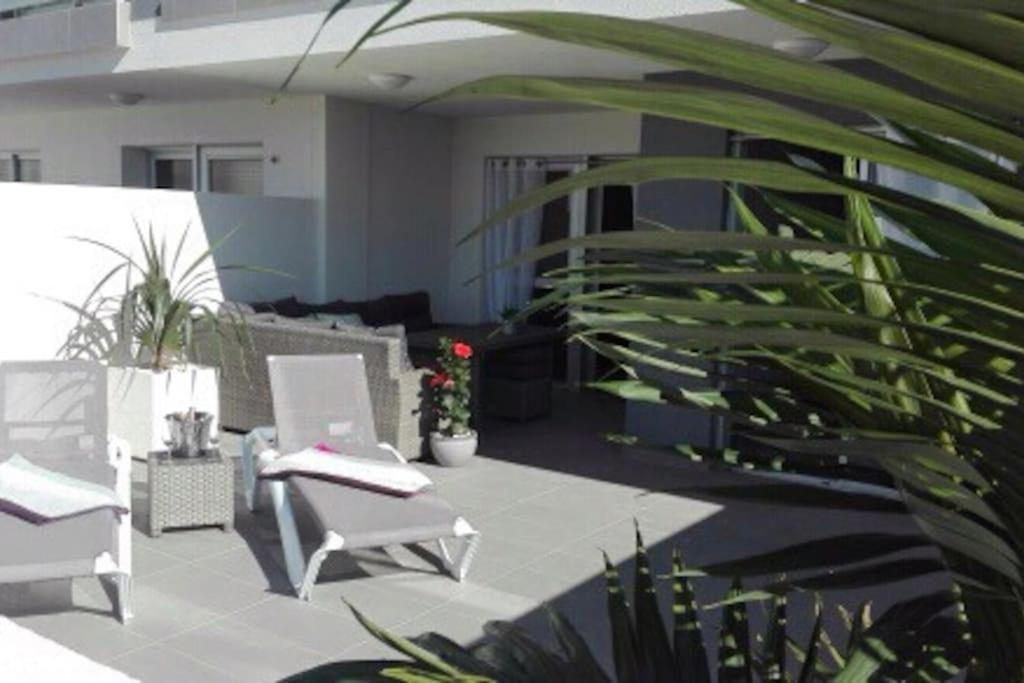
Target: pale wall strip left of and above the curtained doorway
[478,139]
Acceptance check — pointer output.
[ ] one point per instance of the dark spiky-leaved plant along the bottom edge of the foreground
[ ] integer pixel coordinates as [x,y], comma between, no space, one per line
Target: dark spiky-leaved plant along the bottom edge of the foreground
[921,641]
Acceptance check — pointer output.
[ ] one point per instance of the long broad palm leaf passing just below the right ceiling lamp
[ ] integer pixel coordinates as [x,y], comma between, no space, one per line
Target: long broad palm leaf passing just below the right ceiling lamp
[743,63]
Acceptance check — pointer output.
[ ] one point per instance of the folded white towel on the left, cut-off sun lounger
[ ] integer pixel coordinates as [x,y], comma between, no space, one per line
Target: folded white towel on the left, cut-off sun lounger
[40,496]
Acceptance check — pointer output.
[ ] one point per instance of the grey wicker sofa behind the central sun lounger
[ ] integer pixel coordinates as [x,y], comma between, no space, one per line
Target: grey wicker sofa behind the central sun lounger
[398,394]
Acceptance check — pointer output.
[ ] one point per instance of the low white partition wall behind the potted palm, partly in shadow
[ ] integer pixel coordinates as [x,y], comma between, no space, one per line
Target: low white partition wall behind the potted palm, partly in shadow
[40,264]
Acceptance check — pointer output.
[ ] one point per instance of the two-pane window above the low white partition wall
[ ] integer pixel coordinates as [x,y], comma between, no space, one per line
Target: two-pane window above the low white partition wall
[229,169]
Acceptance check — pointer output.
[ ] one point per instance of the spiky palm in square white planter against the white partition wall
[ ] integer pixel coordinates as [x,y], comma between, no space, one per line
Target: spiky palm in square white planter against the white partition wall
[146,333]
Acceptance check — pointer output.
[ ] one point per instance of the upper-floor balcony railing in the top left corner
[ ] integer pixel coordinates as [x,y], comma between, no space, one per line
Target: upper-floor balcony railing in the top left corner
[48,28]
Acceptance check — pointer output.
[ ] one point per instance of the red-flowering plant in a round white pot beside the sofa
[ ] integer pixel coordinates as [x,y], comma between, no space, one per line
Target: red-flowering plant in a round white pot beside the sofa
[453,442]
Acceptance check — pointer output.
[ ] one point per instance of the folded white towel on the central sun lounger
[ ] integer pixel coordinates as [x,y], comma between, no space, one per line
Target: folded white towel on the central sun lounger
[393,479]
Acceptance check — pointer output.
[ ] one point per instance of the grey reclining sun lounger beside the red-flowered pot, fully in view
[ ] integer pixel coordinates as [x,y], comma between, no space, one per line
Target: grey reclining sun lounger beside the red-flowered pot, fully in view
[325,400]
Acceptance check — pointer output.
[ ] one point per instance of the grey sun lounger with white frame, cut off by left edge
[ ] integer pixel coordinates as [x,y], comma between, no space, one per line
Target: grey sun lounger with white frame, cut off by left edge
[55,415]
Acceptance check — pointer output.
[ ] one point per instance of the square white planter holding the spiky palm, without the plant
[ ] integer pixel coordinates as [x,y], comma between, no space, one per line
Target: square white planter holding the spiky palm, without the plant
[140,399]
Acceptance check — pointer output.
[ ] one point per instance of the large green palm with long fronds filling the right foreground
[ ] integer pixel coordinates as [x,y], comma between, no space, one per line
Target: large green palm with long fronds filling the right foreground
[831,348]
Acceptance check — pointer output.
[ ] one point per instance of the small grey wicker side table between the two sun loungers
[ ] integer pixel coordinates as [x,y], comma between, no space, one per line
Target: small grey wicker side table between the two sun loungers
[191,492]
